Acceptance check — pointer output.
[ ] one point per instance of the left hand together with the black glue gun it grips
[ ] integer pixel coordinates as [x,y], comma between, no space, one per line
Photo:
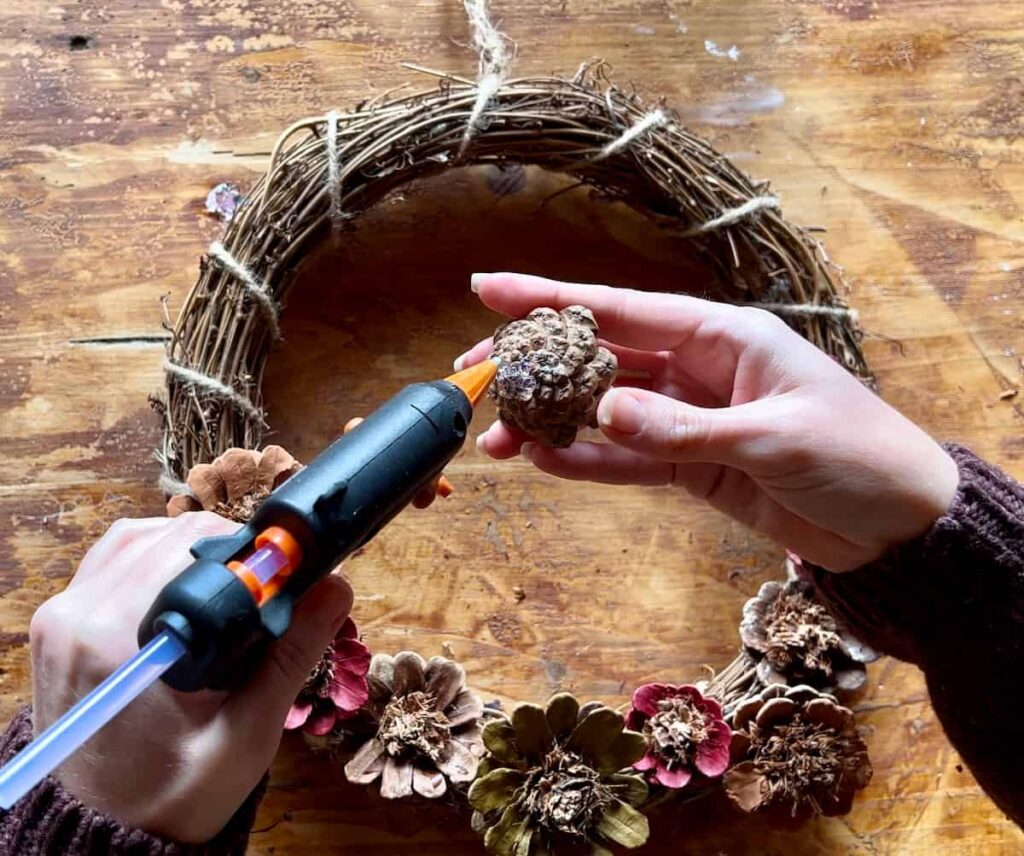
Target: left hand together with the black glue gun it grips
[251,613]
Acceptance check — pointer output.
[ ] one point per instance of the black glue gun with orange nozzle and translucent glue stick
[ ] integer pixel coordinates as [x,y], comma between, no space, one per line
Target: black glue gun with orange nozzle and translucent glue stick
[211,625]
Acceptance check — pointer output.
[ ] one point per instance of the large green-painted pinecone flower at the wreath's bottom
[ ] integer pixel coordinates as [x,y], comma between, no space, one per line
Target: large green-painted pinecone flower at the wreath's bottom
[554,778]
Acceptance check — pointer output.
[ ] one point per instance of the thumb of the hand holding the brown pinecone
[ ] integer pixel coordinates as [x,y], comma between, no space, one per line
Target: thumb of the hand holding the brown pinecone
[671,431]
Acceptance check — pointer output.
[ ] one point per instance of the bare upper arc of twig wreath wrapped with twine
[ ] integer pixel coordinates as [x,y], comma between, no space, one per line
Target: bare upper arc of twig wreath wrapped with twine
[327,170]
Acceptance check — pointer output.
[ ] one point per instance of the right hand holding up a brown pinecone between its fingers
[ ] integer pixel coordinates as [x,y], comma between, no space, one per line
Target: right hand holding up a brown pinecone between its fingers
[744,413]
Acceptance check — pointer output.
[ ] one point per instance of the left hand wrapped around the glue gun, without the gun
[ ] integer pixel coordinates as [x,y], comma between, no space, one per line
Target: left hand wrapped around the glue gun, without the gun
[175,764]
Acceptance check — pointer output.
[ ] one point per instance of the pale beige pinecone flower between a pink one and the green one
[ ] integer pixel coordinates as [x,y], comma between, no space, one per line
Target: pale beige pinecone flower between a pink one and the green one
[421,727]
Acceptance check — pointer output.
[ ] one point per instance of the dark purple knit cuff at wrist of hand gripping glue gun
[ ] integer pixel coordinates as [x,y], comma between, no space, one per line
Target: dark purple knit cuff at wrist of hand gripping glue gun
[50,820]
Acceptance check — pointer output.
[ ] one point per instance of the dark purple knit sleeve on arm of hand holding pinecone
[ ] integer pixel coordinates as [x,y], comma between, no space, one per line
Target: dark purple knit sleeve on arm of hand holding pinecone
[953,603]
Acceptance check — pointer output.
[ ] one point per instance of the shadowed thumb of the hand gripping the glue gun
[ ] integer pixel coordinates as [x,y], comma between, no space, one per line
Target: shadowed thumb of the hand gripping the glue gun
[317,620]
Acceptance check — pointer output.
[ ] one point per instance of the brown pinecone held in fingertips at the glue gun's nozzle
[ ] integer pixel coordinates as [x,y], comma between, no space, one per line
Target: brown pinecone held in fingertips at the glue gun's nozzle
[552,373]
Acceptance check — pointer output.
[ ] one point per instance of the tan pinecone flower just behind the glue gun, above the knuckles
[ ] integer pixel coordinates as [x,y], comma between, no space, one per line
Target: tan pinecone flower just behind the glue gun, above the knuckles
[236,484]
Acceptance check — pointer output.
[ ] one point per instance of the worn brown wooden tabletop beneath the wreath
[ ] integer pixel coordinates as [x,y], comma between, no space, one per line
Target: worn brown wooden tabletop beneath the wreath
[900,126]
